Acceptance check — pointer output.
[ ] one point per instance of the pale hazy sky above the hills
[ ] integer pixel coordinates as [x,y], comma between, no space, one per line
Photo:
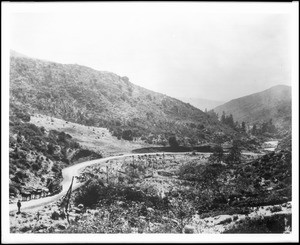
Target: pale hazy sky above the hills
[176,49]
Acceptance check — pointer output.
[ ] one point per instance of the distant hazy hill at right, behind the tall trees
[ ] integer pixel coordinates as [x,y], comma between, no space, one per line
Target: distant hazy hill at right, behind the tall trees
[273,103]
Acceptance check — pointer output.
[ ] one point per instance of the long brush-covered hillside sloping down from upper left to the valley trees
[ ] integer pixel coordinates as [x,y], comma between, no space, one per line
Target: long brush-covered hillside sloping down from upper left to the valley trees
[96,98]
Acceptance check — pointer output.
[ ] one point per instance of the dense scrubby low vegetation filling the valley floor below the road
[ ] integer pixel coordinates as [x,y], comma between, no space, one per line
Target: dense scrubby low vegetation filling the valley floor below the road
[162,195]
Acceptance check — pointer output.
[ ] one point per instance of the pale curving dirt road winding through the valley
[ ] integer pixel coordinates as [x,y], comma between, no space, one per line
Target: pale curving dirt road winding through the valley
[74,170]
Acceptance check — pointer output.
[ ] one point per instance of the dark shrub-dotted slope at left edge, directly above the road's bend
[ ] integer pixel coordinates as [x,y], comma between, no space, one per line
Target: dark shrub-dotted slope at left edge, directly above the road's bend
[37,155]
